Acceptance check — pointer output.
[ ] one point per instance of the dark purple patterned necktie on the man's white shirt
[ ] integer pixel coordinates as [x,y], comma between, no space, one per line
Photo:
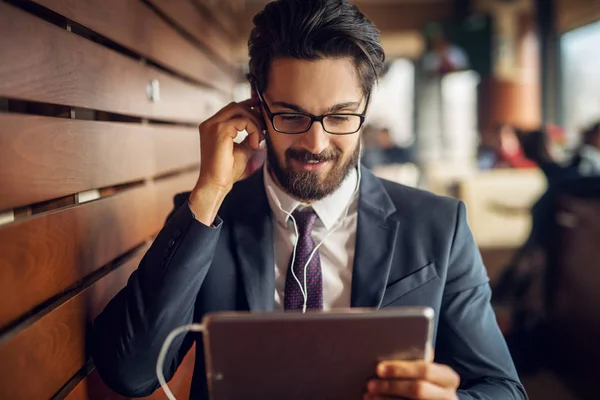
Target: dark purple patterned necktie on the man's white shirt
[293,299]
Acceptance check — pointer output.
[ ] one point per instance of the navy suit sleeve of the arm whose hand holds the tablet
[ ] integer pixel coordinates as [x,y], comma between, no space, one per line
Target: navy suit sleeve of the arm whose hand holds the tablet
[469,339]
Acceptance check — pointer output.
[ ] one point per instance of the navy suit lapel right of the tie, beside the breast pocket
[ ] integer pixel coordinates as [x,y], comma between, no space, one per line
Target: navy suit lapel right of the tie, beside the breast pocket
[376,240]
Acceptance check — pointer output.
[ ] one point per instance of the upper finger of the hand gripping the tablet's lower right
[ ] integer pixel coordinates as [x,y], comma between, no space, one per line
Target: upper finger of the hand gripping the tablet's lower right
[437,374]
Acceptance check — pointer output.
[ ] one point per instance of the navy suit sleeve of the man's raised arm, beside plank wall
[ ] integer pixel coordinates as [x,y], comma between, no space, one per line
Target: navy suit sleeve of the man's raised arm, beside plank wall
[159,297]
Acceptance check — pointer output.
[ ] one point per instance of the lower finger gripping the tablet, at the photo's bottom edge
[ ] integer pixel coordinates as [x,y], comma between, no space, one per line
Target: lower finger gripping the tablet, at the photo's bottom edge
[410,389]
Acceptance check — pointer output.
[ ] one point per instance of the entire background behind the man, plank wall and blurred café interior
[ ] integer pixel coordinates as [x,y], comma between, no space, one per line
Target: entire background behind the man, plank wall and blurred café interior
[495,102]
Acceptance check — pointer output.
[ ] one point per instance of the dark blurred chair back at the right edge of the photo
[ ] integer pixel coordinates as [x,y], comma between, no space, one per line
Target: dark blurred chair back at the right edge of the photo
[573,283]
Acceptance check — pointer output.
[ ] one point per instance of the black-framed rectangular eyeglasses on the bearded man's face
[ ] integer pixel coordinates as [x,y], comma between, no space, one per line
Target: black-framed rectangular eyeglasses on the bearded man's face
[293,123]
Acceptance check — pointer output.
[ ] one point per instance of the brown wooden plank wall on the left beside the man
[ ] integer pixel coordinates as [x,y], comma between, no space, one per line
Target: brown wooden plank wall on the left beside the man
[99,106]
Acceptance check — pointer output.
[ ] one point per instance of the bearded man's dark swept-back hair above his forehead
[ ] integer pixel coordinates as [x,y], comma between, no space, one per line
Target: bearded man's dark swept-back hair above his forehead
[312,30]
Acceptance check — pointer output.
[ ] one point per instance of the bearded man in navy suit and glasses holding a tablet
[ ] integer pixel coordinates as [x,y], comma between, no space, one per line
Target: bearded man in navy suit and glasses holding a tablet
[227,245]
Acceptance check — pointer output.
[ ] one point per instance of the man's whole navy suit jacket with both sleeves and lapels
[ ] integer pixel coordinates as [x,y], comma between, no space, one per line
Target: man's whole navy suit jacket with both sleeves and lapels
[412,249]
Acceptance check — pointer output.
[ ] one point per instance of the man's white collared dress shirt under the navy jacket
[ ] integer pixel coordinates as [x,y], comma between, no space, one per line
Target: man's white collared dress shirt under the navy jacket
[336,252]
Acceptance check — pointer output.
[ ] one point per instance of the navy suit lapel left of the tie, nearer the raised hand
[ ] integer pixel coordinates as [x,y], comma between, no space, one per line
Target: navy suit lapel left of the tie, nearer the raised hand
[253,235]
